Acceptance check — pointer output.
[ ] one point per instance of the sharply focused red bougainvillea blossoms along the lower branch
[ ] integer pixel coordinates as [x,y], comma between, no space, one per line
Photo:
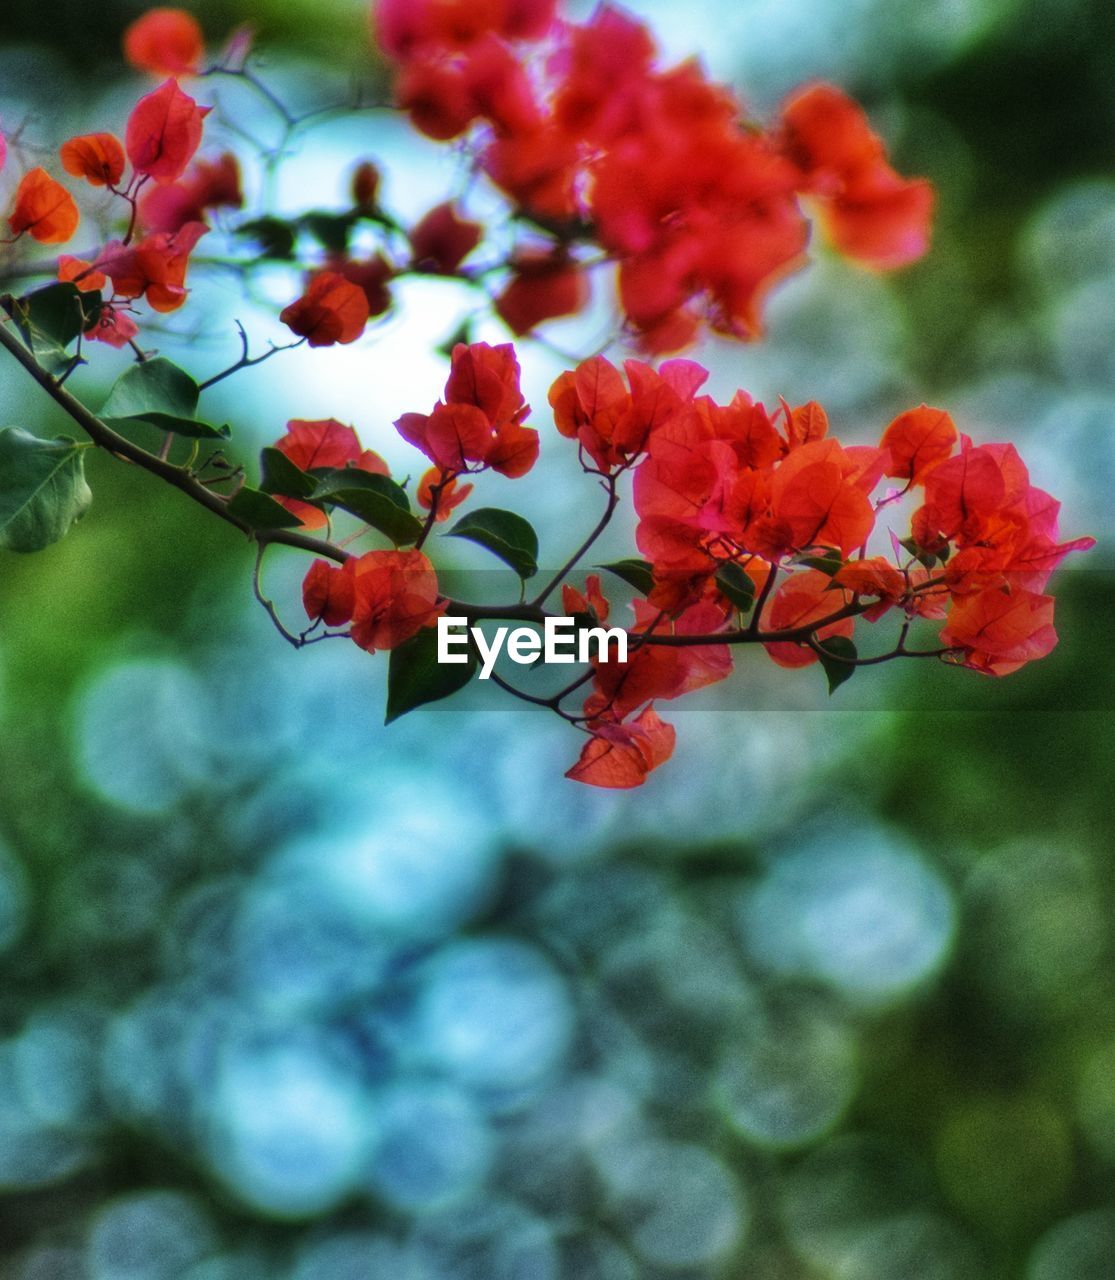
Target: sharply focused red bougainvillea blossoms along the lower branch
[742,511]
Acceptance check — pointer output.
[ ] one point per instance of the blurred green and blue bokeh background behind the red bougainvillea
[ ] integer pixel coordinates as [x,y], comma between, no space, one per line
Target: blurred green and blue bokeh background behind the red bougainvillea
[289,995]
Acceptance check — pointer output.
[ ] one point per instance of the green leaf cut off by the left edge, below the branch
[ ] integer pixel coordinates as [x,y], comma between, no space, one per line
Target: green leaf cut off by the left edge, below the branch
[43,490]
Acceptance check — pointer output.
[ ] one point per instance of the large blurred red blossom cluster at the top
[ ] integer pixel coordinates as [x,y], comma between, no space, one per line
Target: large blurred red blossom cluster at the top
[593,141]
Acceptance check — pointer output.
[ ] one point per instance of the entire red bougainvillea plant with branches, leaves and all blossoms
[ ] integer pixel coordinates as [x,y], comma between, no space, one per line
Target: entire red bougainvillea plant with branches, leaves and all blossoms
[619,179]
